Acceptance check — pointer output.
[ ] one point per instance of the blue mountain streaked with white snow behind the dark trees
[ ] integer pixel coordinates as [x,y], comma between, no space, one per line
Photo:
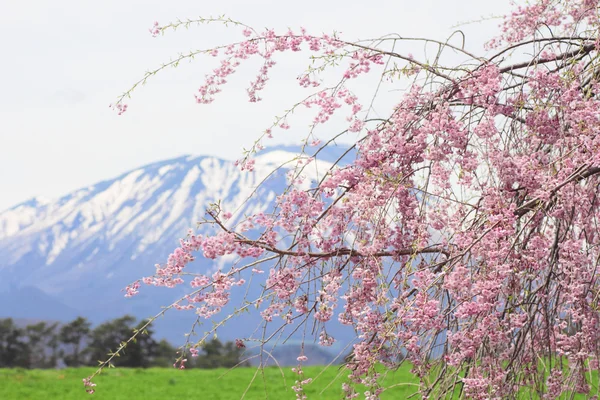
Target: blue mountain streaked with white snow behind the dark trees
[74,255]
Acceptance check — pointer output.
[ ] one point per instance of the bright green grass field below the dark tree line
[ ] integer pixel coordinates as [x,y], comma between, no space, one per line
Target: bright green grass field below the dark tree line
[166,384]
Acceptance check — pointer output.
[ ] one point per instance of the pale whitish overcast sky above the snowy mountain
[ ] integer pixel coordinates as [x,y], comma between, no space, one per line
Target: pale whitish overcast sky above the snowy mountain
[64,61]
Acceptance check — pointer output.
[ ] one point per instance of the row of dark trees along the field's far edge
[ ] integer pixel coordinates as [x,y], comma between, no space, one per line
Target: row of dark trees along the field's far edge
[76,344]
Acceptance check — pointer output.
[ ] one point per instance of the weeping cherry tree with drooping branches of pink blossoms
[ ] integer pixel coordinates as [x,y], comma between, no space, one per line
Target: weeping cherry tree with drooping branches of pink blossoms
[463,235]
